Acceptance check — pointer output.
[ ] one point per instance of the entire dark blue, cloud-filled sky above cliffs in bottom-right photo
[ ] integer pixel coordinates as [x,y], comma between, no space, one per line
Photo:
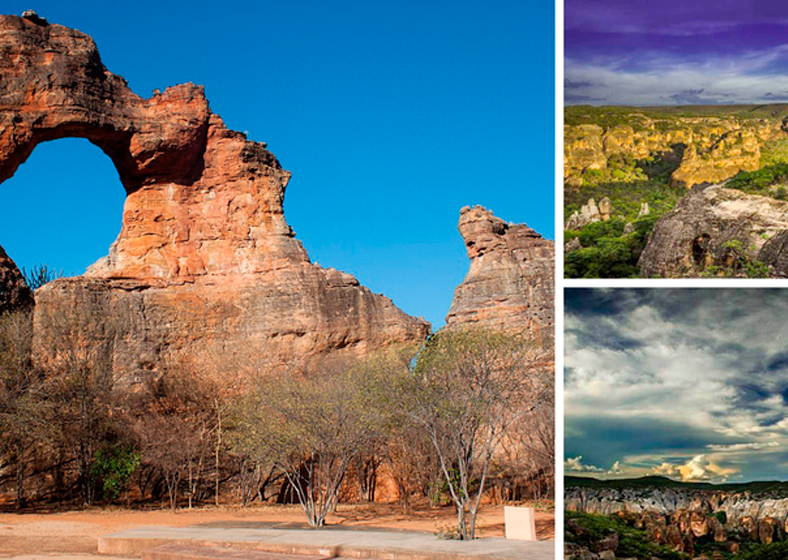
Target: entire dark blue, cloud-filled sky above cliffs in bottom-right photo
[686,383]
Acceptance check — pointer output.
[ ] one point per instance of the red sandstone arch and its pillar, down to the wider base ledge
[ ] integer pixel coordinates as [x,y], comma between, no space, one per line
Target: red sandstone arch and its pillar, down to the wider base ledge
[171,153]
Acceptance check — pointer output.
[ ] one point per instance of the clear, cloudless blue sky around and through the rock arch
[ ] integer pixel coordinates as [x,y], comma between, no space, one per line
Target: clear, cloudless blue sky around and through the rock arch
[390,115]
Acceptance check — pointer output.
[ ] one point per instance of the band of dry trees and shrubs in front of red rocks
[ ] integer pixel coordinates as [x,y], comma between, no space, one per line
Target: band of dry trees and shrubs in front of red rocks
[466,418]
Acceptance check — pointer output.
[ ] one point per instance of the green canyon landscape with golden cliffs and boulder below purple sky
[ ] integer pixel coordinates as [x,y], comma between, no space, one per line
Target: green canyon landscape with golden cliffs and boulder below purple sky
[636,196]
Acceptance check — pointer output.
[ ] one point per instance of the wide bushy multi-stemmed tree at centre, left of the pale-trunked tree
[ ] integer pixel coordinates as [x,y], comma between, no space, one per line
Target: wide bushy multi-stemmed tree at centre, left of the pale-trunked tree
[310,426]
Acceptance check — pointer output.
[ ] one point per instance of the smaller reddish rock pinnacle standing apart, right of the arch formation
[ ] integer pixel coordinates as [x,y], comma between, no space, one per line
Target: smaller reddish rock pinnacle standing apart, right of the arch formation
[510,284]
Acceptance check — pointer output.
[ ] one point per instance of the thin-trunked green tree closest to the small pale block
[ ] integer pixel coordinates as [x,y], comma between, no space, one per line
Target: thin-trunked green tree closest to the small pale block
[467,389]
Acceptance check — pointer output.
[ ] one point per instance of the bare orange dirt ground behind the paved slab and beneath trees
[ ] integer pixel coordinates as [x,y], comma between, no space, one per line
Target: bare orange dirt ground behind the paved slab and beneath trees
[72,535]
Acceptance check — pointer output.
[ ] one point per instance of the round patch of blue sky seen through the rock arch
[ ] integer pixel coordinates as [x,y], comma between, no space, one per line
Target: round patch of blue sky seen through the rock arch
[62,208]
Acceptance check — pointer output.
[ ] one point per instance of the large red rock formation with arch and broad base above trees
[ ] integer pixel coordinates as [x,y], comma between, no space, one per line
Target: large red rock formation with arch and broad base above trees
[205,259]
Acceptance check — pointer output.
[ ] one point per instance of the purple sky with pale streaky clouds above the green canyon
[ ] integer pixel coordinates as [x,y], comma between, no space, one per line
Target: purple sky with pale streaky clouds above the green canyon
[641,52]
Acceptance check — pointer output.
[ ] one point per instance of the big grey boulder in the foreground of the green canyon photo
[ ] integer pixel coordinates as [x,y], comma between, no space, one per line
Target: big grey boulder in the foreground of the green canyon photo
[714,226]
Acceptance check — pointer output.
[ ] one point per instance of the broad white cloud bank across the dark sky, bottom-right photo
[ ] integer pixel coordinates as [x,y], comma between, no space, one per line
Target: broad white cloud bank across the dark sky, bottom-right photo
[674,372]
